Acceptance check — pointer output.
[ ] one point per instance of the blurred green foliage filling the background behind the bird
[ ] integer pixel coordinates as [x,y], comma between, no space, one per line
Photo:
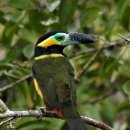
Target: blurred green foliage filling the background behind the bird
[104,88]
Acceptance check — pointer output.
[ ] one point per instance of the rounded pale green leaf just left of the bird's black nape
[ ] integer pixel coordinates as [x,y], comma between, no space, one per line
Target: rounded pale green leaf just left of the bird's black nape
[28,51]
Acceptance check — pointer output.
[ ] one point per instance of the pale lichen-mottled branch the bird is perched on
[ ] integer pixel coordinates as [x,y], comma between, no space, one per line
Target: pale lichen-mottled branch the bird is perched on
[10,115]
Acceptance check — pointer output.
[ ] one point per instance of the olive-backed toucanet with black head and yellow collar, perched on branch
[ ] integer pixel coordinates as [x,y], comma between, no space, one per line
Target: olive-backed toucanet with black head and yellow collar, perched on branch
[53,75]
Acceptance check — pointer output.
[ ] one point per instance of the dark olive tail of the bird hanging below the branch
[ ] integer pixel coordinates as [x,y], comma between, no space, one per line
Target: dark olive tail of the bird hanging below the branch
[73,118]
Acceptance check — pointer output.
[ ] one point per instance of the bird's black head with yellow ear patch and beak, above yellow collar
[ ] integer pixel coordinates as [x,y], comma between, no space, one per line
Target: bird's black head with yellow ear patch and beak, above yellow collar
[55,41]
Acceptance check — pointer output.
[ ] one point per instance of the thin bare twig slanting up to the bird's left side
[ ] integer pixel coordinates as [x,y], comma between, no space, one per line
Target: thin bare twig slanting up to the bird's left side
[15,83]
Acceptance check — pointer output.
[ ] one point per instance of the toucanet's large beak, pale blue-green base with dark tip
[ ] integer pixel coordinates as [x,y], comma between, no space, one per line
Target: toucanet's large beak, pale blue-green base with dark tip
[78,38]
